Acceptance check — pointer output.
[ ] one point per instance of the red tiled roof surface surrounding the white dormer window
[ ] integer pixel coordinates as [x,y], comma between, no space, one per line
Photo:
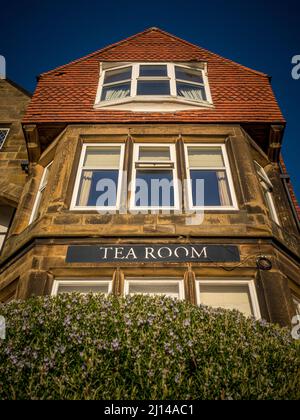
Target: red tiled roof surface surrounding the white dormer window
[67,94]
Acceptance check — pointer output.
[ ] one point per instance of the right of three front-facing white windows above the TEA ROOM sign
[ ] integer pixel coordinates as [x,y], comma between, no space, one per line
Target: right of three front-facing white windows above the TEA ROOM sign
[209,180]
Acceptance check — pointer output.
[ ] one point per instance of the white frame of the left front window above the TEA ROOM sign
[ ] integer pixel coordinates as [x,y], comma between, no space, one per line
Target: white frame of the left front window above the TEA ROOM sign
[81,167]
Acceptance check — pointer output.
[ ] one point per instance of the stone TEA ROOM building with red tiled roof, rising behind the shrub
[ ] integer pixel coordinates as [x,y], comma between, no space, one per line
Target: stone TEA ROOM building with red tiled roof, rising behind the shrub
[121,145]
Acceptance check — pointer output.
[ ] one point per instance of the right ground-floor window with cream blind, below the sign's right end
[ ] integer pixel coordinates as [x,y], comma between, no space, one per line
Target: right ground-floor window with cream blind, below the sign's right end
[229,294]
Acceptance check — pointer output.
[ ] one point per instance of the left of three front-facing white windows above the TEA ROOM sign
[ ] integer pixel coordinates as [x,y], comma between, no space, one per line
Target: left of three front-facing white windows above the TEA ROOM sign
[99,177]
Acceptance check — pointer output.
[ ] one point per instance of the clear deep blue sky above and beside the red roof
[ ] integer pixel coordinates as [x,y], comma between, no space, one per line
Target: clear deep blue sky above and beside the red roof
[36,36]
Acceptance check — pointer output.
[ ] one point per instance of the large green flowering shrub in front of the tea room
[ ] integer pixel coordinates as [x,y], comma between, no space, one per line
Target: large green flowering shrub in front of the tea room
[92,347]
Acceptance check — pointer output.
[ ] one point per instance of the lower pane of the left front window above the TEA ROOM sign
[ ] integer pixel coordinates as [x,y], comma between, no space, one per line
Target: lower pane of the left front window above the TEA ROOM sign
[98,187]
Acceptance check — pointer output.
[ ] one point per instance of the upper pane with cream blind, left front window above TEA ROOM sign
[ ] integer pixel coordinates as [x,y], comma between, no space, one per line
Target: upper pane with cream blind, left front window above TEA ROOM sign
[103,157]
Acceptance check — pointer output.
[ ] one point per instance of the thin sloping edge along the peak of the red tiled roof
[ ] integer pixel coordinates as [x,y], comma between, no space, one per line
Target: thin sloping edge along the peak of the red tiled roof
[153,28]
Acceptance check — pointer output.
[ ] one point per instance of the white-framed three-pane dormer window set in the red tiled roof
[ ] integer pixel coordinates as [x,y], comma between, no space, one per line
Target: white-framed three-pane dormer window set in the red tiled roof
[140,85]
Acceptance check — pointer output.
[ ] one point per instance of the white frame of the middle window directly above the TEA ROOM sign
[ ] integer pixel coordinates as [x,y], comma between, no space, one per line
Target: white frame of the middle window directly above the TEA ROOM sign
[161,165]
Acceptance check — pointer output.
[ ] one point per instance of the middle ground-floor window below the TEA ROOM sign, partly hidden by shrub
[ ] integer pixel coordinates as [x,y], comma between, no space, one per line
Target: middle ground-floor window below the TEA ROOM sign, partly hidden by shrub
[155,287]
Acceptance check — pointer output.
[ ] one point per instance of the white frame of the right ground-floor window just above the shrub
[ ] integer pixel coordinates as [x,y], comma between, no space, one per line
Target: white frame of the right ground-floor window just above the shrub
[232,282]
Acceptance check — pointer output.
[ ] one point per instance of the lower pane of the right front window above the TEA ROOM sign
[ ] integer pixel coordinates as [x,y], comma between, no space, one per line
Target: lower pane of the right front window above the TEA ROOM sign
[216,191]
